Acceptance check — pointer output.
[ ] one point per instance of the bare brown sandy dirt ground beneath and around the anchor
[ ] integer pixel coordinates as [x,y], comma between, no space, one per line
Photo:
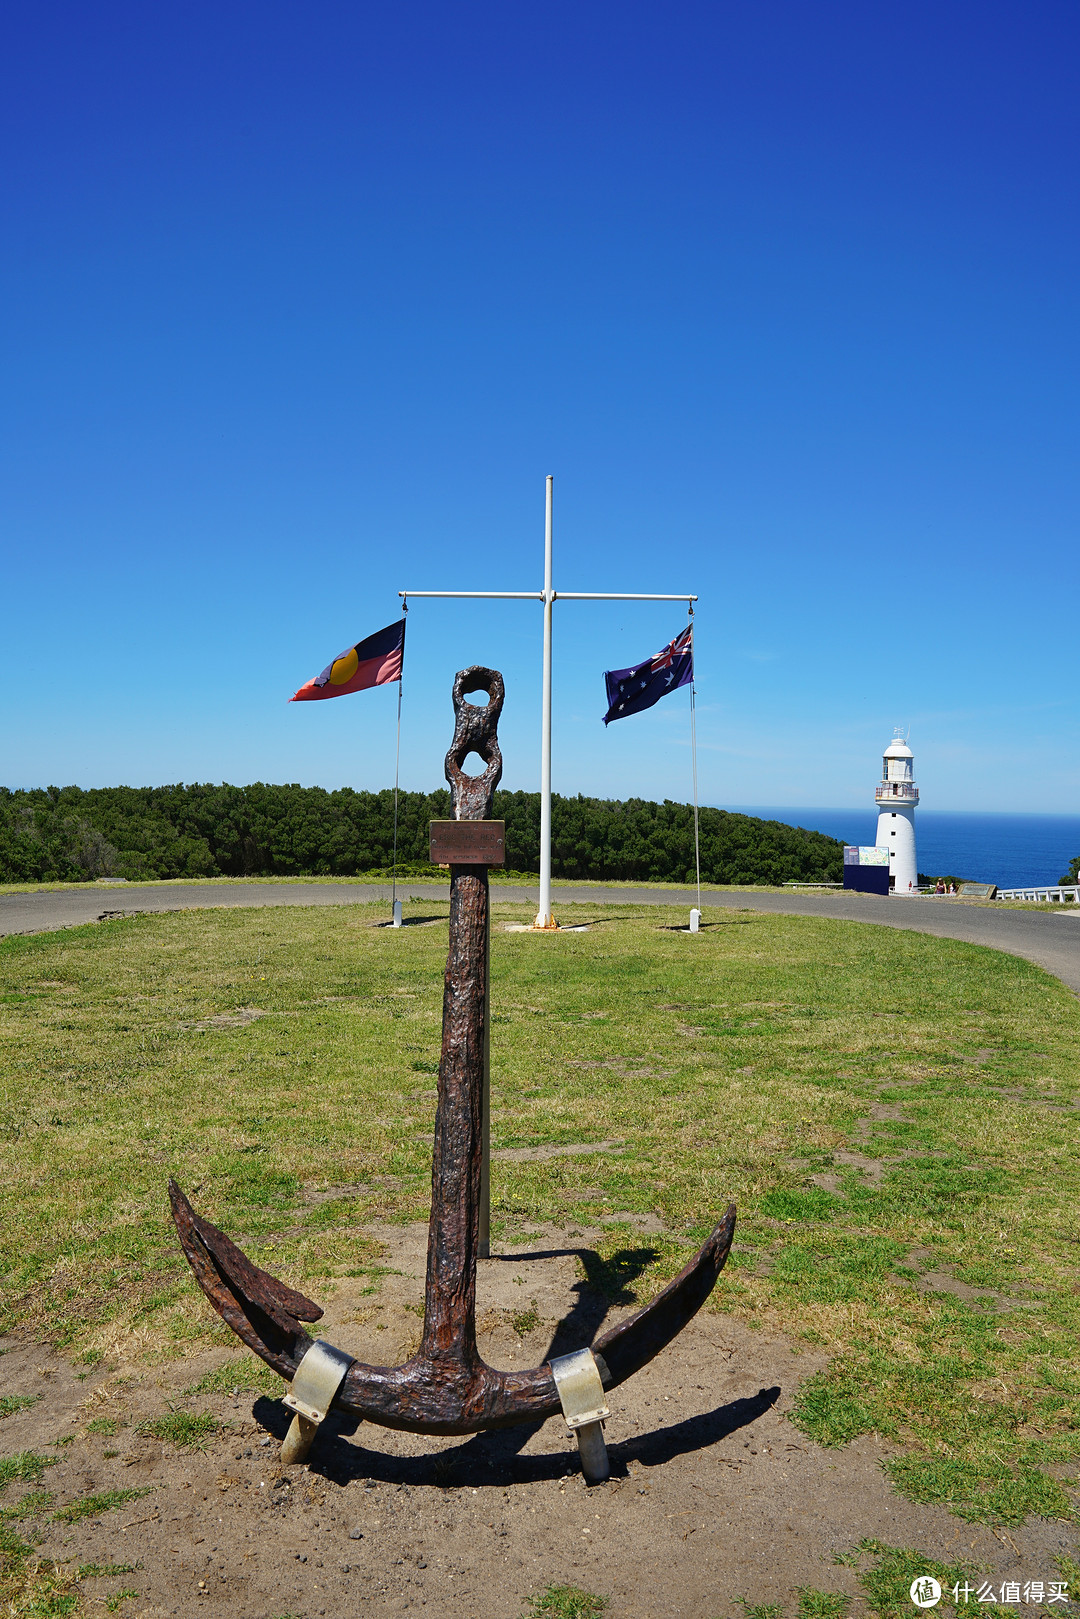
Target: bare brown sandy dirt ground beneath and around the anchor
[712,1500]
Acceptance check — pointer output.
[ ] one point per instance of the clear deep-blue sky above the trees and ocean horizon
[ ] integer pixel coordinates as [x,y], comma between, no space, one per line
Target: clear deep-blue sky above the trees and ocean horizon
[302,304]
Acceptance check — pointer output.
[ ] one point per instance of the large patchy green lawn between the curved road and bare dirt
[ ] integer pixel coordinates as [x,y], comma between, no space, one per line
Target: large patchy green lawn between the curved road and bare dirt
[734,1064]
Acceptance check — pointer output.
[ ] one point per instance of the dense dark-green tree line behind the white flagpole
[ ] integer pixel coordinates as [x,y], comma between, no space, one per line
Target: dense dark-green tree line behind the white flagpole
[198,830]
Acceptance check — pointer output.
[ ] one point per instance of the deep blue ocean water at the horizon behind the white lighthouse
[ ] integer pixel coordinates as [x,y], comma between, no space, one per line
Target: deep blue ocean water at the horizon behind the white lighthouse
[1006,849]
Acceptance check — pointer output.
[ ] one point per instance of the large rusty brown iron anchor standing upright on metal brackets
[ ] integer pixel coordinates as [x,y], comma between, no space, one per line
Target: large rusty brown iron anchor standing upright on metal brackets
[446,1388]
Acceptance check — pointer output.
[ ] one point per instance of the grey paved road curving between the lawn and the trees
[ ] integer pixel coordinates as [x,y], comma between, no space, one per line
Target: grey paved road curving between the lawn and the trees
[1048,938]
